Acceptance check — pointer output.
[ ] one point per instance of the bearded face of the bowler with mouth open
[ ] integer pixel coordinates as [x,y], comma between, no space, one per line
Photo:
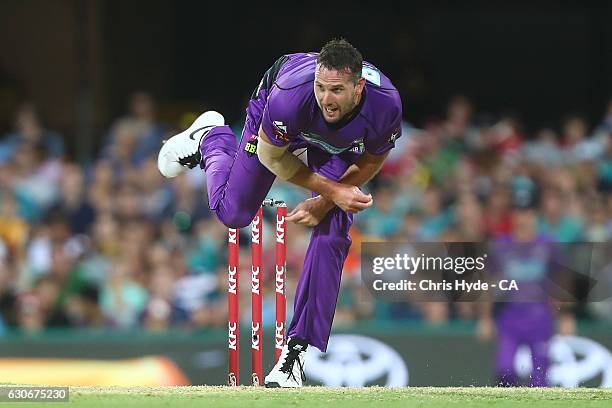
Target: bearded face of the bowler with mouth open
[336,92]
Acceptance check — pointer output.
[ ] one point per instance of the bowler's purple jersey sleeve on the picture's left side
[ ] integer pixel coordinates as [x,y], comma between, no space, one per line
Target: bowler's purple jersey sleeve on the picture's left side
[279,121]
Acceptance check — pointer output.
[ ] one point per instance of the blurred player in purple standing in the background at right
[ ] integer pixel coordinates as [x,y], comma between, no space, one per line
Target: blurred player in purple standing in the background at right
[526,316]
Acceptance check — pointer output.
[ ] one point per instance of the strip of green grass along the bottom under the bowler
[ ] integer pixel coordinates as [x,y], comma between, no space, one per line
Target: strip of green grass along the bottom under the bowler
[206,396]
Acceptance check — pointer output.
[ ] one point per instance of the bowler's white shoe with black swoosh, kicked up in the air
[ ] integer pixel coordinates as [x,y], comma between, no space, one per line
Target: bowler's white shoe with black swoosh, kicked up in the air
[182,151]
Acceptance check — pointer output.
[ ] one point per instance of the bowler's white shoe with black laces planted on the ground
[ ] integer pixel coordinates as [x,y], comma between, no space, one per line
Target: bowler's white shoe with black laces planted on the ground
[289,370]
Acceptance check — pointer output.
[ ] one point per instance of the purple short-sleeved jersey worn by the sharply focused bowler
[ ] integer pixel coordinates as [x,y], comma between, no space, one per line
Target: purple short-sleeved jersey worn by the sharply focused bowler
[291,113]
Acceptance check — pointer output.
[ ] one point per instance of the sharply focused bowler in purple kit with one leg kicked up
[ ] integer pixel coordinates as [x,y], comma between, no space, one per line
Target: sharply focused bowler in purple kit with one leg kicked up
[346,115]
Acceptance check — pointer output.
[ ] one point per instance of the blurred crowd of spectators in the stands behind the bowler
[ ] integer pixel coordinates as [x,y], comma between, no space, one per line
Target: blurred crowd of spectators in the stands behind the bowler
[113,244]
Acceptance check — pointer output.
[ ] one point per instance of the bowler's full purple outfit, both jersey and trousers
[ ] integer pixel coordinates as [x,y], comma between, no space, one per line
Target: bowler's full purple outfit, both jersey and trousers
[284,106]
